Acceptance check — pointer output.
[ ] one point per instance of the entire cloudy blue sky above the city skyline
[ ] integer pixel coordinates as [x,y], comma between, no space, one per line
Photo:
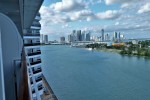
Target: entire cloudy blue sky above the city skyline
[129,17]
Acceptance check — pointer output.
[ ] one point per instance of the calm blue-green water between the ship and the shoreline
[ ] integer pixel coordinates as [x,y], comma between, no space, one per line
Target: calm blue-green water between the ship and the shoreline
[80,74]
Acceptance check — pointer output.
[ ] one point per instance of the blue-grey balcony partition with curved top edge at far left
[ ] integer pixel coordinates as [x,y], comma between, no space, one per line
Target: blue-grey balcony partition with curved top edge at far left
[12,44]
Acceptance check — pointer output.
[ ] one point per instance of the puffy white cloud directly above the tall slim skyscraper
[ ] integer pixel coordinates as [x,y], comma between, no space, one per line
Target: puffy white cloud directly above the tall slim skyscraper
[109,14]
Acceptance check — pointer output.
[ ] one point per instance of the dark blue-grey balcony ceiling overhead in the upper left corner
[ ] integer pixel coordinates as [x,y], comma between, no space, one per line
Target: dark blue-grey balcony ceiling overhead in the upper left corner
[22,12]
